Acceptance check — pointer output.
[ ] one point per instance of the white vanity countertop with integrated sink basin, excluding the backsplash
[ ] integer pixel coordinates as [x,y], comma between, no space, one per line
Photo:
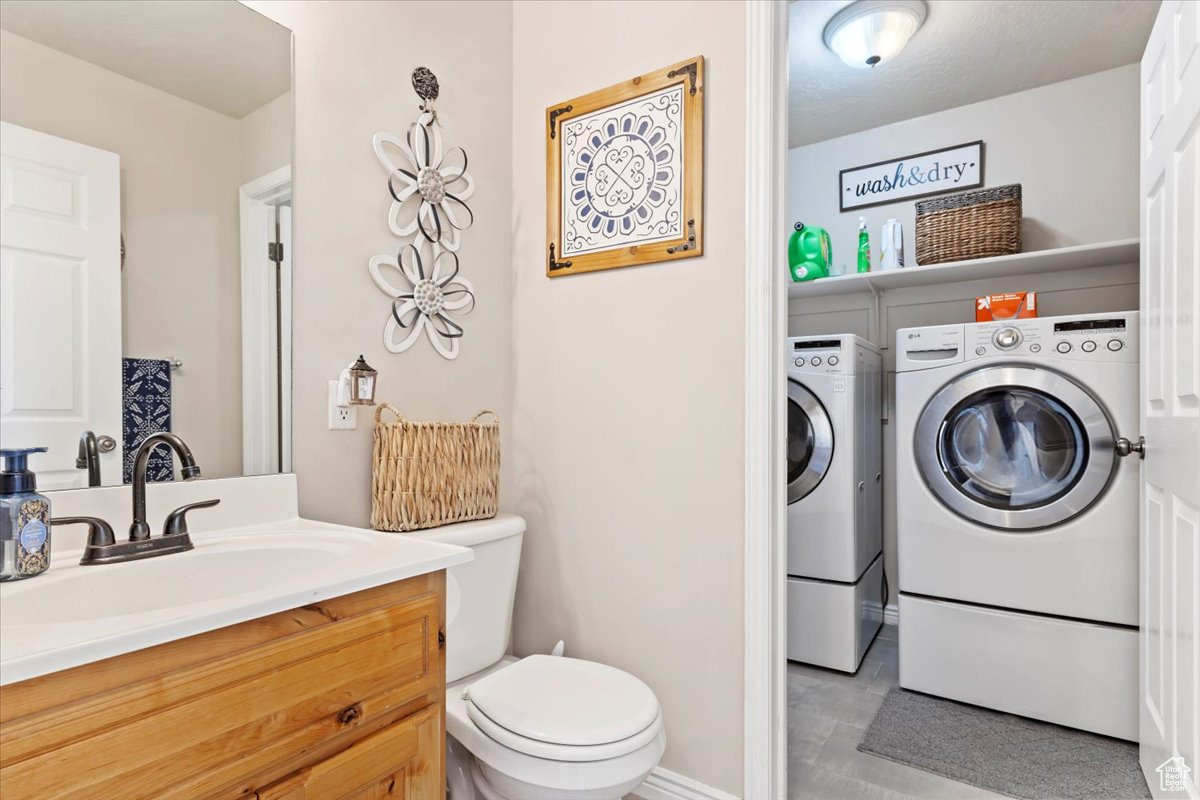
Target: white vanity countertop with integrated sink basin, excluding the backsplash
[77,615]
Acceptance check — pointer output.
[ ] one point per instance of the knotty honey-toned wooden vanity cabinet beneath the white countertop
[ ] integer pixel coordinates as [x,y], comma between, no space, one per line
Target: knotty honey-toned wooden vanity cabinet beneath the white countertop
[340,700]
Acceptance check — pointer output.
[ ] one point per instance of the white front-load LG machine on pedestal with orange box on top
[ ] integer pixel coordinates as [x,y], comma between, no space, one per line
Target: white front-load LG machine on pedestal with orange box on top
[1018,518]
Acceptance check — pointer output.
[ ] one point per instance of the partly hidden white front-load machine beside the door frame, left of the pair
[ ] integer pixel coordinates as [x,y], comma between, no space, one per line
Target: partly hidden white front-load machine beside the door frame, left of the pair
[835,496]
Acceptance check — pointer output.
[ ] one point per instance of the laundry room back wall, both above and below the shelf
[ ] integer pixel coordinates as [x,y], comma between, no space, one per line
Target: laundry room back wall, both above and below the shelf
[1072,146]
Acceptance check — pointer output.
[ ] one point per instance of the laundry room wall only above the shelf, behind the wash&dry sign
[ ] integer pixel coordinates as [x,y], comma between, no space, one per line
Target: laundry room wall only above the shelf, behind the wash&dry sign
[1072,147]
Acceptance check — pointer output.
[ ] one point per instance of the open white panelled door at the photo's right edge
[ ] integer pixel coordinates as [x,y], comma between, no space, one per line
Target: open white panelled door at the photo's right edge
[1171,402]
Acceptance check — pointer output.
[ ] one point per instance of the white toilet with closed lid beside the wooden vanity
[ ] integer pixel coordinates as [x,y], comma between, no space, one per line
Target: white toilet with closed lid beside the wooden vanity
[537,729]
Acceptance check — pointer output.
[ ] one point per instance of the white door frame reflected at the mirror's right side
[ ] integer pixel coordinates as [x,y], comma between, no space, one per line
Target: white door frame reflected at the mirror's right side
[259,382]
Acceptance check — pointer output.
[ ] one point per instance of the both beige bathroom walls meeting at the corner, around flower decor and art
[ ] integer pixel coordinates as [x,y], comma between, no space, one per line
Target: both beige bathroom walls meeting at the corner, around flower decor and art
[608,383]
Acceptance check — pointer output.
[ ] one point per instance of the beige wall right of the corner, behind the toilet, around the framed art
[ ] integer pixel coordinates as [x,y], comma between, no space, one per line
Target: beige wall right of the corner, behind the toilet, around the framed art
[628,394]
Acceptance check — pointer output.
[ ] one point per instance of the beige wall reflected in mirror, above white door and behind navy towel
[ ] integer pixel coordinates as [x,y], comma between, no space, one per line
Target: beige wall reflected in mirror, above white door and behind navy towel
[179,216]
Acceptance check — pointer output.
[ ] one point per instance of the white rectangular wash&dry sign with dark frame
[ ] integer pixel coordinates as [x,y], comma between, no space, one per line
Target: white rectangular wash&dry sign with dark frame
[923,175]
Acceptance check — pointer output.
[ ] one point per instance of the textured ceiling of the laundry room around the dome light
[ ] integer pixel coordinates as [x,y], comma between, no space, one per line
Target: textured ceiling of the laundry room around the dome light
[968,51]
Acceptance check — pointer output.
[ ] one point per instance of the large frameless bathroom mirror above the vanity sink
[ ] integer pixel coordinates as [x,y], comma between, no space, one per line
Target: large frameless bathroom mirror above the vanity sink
[146,275]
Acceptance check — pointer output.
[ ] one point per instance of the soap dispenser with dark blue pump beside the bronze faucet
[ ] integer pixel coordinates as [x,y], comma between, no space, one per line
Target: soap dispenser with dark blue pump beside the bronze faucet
[25,519]
